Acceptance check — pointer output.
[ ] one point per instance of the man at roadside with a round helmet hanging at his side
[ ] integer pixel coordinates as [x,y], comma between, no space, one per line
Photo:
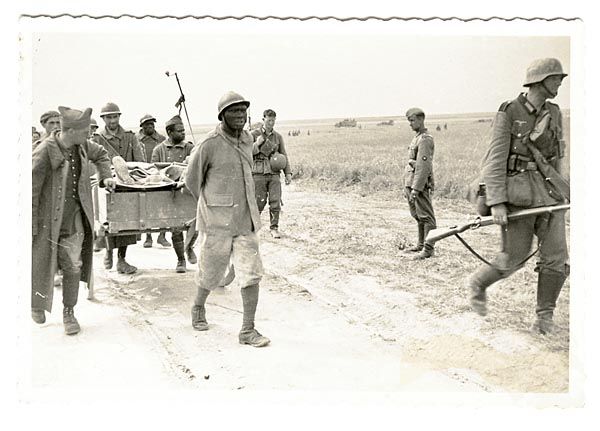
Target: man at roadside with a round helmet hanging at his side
[267,152]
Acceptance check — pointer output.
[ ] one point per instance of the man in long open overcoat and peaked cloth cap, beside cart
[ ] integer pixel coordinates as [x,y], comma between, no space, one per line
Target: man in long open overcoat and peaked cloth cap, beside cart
[62,213]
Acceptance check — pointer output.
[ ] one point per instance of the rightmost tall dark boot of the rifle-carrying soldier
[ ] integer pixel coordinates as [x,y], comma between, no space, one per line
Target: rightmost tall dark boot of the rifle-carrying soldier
[549,286]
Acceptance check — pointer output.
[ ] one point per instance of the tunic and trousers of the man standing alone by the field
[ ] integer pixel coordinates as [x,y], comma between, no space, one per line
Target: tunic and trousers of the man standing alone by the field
[419,176]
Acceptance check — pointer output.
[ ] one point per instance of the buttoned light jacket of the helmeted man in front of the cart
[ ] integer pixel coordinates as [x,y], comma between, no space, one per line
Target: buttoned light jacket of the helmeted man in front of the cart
[219,175]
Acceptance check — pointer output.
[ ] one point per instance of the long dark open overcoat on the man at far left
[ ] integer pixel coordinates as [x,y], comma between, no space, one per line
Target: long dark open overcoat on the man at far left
[49,181]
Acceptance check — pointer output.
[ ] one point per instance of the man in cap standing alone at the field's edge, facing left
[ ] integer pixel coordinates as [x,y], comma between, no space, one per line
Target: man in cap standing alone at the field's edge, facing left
[418,181]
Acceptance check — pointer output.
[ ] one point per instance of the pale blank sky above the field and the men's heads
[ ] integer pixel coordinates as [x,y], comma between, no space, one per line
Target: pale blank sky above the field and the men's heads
[299,75]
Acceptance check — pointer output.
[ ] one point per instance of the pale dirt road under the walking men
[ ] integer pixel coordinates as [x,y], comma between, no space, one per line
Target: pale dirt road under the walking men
[339,317]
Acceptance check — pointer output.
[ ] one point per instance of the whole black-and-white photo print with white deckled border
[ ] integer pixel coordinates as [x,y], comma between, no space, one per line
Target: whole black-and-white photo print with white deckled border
[362,206]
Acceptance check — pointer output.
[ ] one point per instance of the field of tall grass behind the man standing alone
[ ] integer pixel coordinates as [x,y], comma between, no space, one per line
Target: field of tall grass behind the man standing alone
[373,157]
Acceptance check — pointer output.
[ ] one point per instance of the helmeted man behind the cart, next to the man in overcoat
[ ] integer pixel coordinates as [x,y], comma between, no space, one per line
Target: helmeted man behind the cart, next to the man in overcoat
[118,142]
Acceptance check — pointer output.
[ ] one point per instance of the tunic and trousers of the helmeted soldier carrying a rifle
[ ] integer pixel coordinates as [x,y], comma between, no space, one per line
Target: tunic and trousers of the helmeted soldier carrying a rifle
[512,178]
